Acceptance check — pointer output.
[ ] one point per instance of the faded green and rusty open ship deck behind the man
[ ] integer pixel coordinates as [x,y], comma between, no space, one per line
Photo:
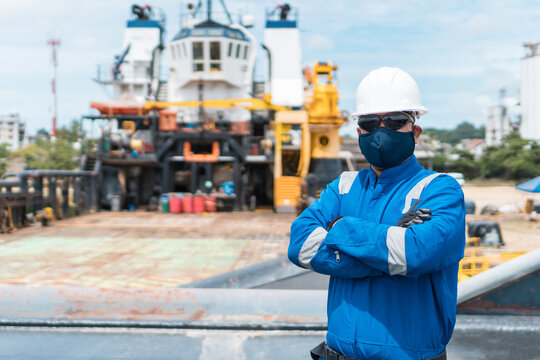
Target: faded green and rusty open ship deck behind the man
[75,252]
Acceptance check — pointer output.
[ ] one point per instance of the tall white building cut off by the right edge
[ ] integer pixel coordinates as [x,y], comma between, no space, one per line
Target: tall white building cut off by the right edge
[530,93]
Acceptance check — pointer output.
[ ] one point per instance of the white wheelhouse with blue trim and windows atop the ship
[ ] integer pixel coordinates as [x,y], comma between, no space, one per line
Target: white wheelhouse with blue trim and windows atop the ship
[211,60]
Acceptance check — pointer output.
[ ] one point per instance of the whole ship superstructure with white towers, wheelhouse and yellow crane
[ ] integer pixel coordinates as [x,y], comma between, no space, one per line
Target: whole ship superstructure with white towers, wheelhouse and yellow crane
[203,127]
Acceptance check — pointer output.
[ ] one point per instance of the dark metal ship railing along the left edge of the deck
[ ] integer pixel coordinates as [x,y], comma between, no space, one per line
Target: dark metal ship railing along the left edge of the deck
[24,195]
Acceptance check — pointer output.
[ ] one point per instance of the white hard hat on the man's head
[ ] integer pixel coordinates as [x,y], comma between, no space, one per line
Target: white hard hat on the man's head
[387,90]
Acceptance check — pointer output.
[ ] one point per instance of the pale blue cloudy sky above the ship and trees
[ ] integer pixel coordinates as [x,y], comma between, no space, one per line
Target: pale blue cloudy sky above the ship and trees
[461,53]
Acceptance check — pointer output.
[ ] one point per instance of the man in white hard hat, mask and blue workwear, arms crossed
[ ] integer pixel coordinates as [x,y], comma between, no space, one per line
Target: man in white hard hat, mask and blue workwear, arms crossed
[390,237]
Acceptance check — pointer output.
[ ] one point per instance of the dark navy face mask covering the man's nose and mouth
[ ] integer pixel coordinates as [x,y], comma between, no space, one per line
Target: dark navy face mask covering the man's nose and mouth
[385,148]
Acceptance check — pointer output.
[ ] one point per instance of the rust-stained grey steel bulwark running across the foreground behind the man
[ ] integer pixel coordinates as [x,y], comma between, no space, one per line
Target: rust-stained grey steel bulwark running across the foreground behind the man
[44,322]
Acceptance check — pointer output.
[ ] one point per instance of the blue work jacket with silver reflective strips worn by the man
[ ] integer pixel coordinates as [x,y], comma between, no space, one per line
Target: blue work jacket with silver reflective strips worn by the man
[392,292]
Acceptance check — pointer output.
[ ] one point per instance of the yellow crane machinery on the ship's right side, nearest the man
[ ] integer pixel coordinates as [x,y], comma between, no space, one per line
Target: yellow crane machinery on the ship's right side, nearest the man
[318,152]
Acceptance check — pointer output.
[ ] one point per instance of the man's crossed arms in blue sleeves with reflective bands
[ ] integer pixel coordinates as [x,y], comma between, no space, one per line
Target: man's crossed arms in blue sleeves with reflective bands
[357,248]
